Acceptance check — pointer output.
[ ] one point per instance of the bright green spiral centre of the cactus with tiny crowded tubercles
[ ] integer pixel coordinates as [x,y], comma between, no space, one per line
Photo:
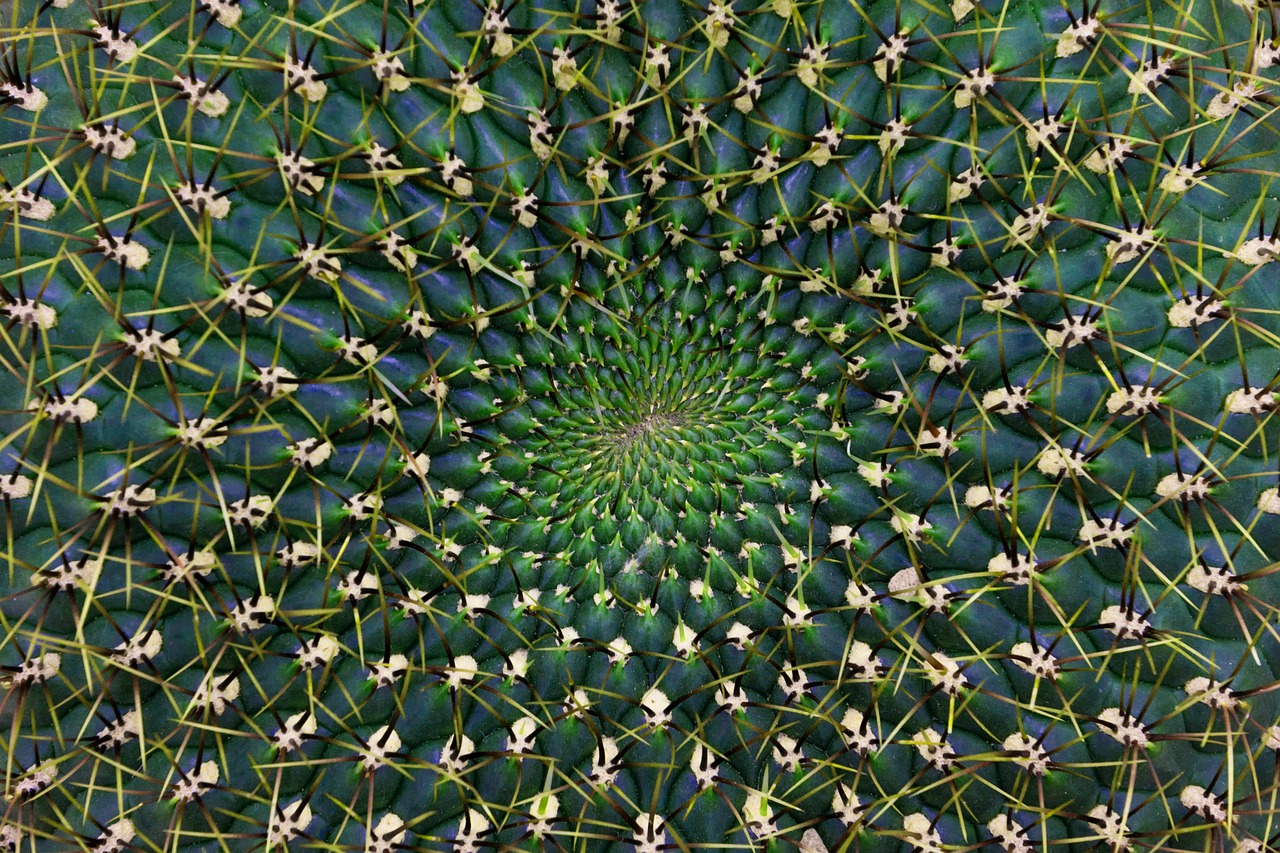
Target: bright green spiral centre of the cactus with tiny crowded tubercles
[669,423]
